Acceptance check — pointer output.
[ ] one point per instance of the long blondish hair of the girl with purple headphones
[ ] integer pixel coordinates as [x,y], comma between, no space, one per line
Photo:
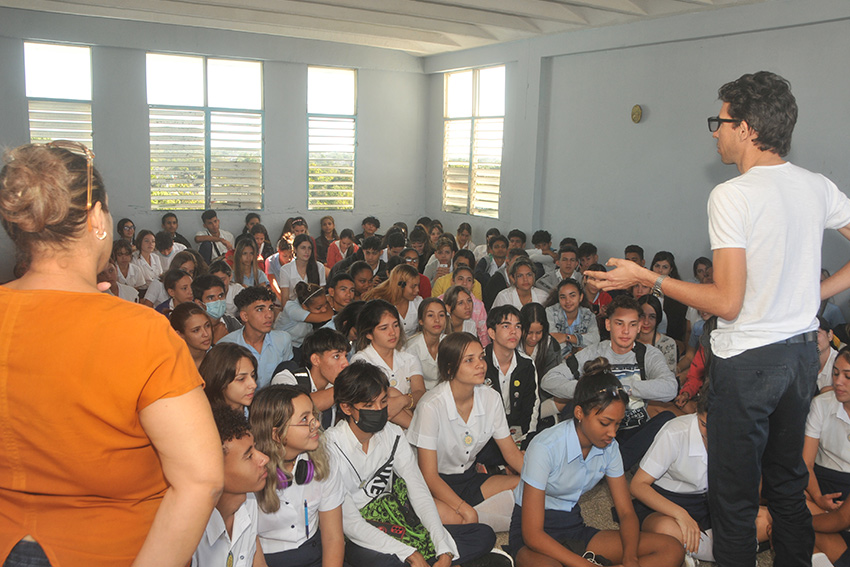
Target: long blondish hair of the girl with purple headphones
[271,413]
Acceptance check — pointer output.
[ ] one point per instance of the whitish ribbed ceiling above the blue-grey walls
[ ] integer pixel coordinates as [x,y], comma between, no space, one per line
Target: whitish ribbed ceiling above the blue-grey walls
[418,27]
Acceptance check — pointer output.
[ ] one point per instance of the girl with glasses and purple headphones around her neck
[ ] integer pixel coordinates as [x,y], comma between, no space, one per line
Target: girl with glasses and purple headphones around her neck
[300,522]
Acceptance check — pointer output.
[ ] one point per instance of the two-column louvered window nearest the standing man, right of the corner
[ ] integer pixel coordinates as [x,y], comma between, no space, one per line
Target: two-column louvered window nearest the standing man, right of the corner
[473,131]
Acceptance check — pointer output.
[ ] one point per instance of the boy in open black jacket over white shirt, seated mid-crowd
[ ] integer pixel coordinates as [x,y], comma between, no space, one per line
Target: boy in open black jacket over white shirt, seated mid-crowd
[512,374]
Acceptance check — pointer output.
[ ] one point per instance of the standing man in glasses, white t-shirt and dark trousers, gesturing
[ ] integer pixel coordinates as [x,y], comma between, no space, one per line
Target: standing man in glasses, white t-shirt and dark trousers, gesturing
[766,229]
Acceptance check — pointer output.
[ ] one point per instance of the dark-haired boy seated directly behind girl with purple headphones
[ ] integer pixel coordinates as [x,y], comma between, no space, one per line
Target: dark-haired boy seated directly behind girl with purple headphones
[324,354]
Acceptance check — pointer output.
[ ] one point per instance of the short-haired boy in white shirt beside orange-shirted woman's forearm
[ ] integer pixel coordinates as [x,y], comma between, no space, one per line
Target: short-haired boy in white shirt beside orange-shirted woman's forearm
[230,537]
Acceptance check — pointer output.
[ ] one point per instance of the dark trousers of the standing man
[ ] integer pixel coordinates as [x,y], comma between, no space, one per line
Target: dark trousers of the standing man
[758,403]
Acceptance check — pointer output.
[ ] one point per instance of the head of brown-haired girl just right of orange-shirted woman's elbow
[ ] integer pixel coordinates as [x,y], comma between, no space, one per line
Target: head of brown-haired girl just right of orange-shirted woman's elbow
[230,376]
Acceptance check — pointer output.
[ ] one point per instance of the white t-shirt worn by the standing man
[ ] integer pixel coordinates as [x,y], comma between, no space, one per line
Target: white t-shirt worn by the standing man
[777,214]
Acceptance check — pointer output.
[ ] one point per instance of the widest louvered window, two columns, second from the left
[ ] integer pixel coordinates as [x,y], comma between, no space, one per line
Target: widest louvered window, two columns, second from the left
[206,132]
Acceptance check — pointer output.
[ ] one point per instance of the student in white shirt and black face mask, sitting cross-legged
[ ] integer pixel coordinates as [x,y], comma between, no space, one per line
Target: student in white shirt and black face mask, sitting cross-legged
[372,459]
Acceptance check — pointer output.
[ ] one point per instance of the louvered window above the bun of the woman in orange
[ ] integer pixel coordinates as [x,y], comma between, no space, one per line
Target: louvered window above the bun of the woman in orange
[58,86]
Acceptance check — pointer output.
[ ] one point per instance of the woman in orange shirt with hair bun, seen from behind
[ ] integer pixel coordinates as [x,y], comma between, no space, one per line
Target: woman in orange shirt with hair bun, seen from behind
[110,456]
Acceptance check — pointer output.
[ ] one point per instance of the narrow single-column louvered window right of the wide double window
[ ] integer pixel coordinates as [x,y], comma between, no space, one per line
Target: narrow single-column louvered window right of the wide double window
[332,128]
